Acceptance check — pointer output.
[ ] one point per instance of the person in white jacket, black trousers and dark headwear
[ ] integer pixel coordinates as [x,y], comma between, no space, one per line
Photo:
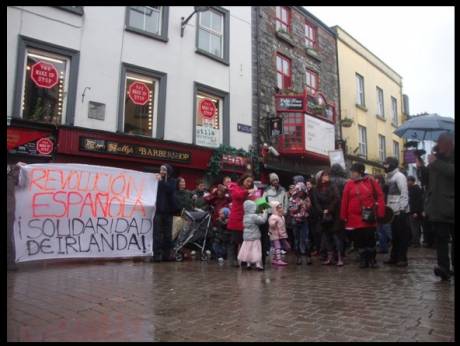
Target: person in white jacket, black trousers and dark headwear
[398,201]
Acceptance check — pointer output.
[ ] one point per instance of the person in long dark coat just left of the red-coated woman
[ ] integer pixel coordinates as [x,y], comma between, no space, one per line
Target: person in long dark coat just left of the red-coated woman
[326,197]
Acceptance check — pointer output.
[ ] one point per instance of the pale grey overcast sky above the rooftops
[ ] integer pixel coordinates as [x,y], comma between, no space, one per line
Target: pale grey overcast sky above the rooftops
[417,42]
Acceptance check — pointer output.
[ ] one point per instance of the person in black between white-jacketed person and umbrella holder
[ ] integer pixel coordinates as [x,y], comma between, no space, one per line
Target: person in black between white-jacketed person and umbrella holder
[415,210]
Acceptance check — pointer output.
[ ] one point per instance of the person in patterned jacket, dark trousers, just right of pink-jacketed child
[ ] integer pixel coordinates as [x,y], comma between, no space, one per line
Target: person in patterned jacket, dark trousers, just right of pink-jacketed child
[299,211]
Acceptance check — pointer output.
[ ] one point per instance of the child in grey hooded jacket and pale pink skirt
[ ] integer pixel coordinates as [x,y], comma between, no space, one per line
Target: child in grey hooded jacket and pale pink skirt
[251,249]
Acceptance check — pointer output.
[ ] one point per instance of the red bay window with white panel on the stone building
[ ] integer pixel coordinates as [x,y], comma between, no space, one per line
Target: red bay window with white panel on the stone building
[303,137]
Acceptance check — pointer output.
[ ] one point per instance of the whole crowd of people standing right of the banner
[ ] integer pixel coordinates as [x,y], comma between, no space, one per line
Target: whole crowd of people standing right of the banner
[326,216]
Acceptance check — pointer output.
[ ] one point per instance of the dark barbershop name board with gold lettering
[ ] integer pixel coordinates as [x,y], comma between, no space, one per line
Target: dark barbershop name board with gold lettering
[126,149]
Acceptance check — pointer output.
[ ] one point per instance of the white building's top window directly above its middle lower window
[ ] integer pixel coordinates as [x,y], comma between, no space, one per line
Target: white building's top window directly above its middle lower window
[146,18]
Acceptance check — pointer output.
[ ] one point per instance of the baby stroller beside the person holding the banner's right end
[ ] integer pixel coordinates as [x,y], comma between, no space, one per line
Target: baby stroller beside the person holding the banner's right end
[195,232]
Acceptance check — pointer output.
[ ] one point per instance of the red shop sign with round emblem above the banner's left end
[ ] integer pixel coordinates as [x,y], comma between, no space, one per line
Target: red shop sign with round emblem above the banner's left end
[30,142]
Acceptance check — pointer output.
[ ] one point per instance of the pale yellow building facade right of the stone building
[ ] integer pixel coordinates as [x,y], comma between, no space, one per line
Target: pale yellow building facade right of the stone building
[370,96]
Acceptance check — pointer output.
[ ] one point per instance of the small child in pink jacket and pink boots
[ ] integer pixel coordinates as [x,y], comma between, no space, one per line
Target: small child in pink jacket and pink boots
[277,232]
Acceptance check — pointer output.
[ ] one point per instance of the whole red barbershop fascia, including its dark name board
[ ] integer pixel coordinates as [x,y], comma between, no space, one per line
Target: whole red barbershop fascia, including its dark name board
[96,147]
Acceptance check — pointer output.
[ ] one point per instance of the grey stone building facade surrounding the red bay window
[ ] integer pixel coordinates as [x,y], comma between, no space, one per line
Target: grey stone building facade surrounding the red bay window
[268,43]
